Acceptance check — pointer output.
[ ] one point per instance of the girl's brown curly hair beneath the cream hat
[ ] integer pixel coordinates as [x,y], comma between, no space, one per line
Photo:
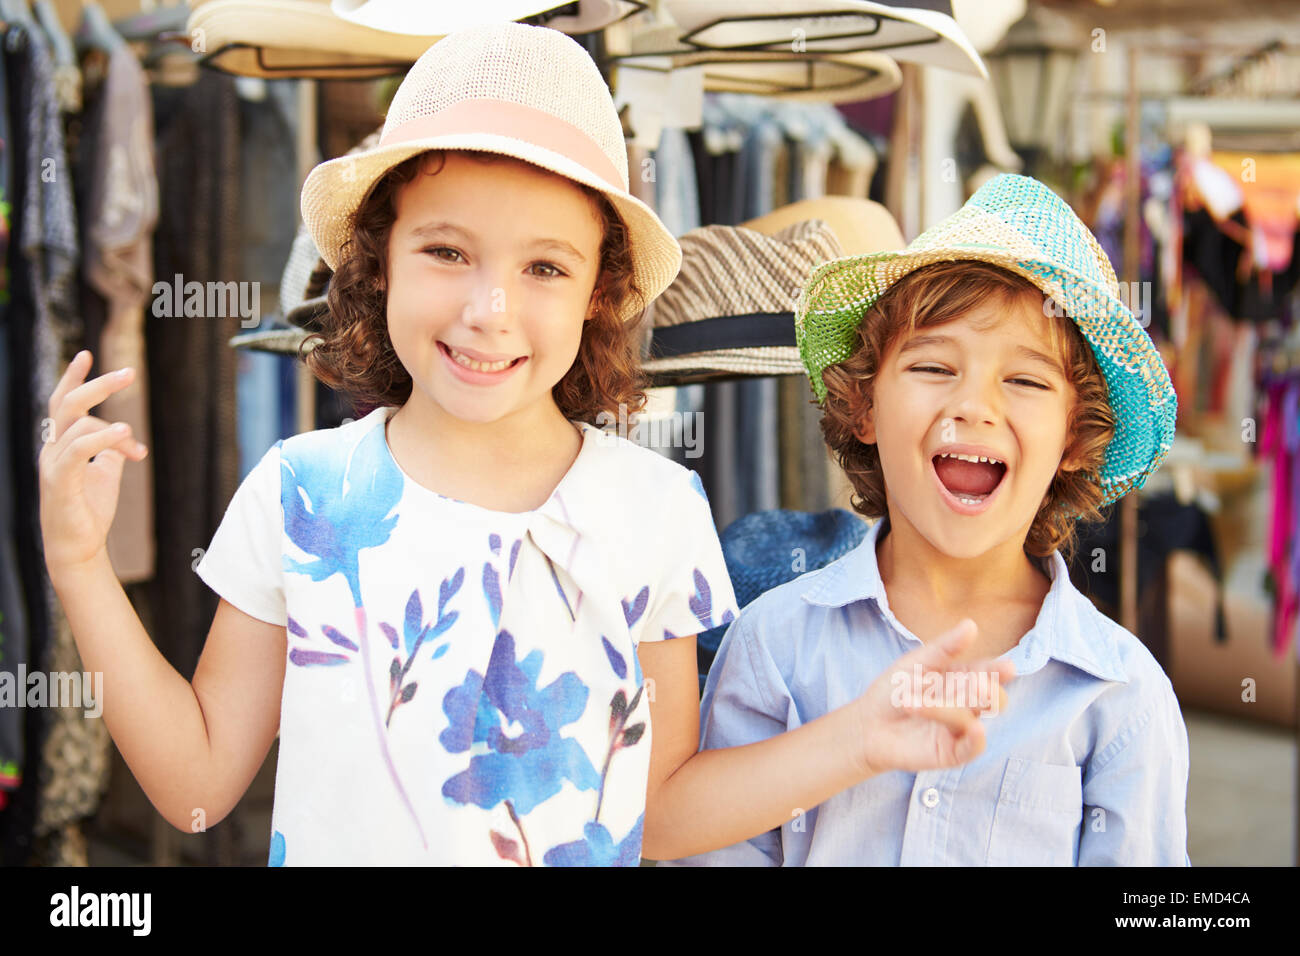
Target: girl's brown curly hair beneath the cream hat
[354,354]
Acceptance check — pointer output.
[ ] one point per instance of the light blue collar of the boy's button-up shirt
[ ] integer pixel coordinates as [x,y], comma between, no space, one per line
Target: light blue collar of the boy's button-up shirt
[1068,628]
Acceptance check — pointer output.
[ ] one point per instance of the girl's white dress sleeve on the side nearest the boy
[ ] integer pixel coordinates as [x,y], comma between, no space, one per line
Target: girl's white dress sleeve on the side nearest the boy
[695,591]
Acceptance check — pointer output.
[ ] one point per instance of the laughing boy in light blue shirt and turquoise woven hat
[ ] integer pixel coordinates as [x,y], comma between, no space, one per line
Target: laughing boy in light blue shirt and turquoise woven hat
[983,390]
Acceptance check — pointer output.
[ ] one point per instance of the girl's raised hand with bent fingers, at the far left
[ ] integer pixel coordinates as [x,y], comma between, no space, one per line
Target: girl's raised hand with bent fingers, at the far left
[81,465]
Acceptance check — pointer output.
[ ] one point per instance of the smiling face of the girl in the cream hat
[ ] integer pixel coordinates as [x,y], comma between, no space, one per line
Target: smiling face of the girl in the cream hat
[492,267]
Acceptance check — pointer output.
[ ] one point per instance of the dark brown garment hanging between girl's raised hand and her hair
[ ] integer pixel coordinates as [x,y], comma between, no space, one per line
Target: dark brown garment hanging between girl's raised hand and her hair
[192,367]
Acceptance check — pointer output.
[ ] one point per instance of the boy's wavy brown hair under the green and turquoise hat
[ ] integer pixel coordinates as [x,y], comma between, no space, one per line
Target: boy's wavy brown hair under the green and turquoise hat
[934,296]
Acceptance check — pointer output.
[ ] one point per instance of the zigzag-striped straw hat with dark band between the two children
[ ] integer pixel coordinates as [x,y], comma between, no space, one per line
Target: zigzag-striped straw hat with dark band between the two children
[731,310]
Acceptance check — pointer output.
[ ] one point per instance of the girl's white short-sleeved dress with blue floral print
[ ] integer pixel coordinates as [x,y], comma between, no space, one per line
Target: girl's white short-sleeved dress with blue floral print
[462,686]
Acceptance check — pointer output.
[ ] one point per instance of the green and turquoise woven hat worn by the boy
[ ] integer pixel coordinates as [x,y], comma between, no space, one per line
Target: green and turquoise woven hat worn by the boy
[1021,226]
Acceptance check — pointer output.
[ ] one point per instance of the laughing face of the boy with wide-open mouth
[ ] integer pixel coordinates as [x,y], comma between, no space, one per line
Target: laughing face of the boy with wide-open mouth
[987,384]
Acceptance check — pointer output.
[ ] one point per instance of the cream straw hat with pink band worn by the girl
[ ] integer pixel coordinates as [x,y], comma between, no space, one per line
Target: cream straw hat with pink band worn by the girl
[512,89]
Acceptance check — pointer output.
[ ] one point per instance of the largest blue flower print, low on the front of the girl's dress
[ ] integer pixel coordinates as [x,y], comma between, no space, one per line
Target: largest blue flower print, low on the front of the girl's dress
[528,768]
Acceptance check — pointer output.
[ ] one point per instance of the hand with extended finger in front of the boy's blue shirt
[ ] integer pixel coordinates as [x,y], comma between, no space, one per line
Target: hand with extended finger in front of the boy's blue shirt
[924,712]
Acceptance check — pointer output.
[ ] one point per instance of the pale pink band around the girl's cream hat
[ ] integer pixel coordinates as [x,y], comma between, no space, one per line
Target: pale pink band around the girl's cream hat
[515,122]
